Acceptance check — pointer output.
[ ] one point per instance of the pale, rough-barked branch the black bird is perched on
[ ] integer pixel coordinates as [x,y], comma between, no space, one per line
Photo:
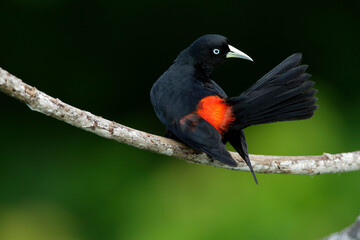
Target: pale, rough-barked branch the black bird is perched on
[53,107]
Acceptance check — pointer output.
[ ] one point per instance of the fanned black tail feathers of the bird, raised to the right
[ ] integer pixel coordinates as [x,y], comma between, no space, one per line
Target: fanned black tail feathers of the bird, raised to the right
[283,94]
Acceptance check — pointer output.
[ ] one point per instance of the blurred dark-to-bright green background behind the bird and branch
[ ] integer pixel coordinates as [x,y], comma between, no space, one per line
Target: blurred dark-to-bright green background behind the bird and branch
[58,182]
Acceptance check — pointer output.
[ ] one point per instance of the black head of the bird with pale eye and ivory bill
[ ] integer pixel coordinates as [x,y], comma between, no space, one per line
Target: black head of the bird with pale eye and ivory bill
[211,50]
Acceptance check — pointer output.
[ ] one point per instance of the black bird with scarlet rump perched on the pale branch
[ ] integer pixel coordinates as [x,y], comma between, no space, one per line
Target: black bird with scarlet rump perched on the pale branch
[196,111]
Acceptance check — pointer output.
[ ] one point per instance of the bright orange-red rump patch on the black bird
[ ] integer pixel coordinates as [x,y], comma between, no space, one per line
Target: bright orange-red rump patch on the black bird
[217,112]
